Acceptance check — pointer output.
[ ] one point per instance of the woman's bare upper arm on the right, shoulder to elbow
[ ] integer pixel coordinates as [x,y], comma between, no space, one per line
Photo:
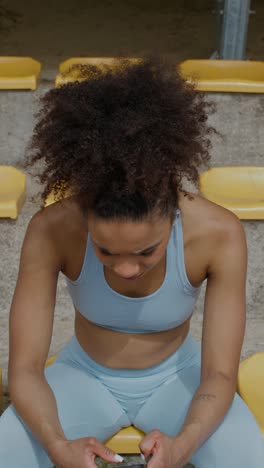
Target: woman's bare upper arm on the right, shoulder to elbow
[225,303]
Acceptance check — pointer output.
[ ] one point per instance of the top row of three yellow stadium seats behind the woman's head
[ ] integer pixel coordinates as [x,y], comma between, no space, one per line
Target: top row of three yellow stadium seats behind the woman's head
[210,75]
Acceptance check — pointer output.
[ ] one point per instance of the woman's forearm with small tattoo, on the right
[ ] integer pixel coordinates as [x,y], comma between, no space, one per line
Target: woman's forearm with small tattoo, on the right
[210,403]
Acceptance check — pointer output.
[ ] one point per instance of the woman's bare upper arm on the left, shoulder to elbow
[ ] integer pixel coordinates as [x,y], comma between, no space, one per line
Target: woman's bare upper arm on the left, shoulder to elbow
[32,309]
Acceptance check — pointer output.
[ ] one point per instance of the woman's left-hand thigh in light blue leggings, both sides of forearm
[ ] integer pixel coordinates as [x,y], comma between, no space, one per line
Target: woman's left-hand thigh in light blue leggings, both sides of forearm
[86,408]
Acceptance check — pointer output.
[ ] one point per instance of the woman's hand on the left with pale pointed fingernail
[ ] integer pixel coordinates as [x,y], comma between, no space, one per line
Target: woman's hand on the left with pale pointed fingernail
[80,453]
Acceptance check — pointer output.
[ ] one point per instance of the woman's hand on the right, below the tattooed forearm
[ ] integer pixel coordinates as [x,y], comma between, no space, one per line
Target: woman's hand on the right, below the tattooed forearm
[167,452]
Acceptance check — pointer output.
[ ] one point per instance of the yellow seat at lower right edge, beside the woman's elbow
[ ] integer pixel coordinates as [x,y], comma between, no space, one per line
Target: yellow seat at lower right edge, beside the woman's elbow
[251,385]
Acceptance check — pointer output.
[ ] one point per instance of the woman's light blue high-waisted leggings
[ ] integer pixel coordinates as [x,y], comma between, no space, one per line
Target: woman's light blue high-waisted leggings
[94,400]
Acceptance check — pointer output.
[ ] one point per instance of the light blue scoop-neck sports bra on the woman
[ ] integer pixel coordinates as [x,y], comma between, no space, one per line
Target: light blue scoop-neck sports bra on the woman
[166,308]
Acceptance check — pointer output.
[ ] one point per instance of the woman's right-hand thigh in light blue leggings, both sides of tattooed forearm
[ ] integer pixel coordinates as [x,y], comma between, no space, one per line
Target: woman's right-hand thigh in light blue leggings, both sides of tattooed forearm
[236,442]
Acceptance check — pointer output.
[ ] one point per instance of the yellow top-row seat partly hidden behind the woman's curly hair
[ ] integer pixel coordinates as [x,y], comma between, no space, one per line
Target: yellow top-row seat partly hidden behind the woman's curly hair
[67,73]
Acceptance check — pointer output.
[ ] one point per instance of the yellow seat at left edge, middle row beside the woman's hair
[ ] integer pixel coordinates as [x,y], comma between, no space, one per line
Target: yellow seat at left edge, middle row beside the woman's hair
[12,191]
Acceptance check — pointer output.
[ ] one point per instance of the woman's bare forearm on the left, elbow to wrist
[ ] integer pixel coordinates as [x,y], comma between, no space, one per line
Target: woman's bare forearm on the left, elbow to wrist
[34,401]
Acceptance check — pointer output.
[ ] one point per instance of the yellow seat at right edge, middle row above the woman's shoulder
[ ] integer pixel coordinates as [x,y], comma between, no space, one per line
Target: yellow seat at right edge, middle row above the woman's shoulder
[239,189]
